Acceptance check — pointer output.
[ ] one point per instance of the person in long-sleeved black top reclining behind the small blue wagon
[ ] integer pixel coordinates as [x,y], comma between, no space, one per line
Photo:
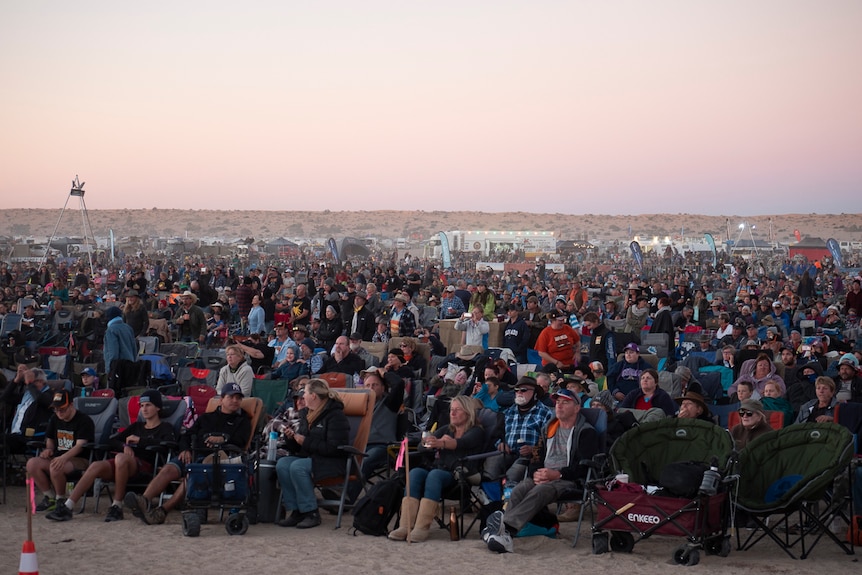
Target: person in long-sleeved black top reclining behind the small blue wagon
[226,427]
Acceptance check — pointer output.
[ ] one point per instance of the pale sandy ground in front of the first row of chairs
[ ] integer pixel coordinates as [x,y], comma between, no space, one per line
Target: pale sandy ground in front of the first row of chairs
[88,545]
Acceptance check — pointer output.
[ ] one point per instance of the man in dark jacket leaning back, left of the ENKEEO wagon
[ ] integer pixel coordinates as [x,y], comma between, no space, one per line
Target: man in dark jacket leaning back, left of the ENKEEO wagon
[554,470]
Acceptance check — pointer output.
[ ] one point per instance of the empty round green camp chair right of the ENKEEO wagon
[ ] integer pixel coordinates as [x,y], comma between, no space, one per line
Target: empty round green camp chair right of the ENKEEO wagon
[788,473]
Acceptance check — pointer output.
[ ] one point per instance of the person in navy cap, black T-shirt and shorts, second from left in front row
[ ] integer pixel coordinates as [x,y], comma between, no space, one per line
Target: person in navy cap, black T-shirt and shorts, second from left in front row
[132,457]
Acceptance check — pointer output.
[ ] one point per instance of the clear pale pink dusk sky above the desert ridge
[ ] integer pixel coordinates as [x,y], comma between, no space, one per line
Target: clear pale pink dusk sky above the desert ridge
[608,107]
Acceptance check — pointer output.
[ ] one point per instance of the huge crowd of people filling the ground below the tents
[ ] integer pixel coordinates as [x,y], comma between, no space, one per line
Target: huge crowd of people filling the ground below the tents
[782,335]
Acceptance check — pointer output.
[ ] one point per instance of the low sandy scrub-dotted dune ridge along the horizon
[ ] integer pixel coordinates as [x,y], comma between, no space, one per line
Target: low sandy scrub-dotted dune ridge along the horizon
[261,224]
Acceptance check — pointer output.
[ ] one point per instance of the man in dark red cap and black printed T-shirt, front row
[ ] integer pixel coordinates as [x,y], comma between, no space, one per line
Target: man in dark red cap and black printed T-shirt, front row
[67,434]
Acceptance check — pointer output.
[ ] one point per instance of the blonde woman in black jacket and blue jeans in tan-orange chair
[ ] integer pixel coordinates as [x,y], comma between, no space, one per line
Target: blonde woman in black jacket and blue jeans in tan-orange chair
[323,428]
